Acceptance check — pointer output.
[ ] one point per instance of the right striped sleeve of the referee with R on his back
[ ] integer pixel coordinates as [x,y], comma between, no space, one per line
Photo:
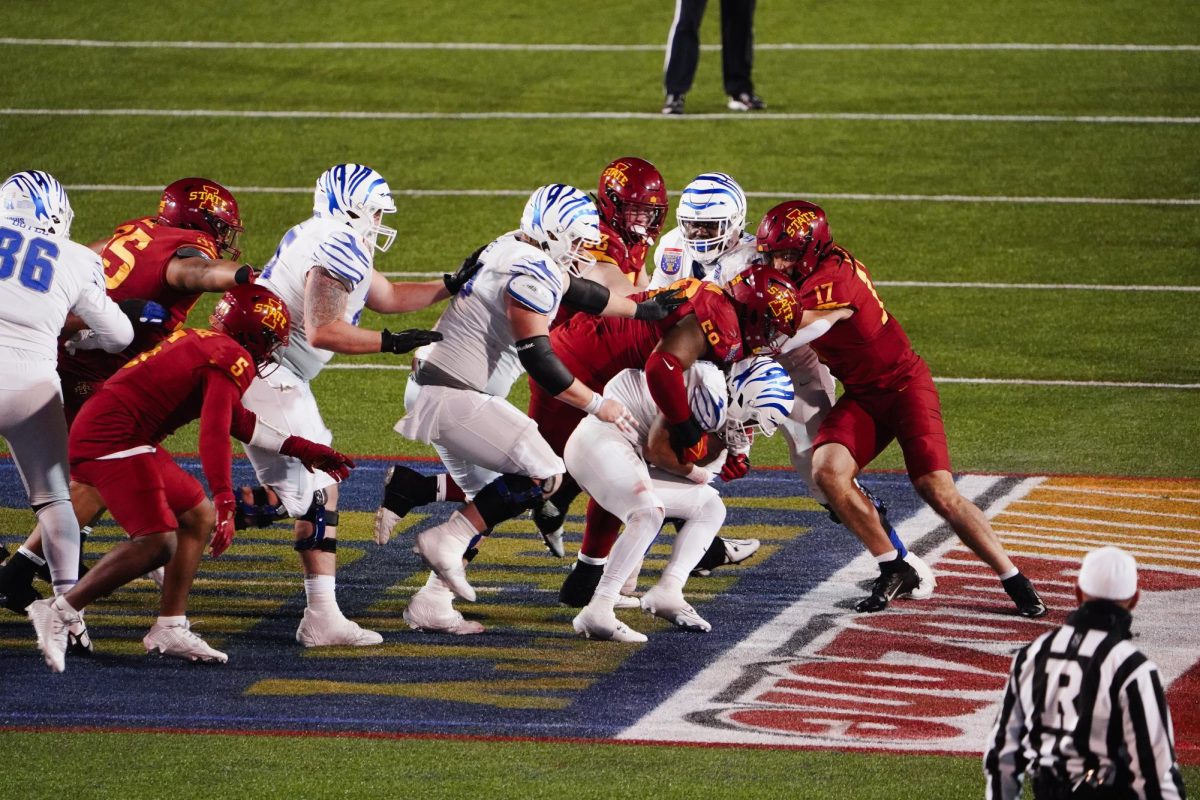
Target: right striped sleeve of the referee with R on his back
[1149,737]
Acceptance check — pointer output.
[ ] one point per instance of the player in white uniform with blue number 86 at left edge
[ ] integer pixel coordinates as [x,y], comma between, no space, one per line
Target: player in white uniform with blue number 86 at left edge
[44,278]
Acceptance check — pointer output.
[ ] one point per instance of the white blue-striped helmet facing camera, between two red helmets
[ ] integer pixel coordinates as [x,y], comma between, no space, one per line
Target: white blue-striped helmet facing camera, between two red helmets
[711,214]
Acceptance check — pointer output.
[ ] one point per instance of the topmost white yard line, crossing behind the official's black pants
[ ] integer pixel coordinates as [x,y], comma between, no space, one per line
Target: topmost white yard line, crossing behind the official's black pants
[593,47]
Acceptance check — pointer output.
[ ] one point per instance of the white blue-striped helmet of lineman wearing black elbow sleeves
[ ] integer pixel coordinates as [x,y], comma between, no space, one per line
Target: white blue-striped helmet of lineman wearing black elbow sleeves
[563,221]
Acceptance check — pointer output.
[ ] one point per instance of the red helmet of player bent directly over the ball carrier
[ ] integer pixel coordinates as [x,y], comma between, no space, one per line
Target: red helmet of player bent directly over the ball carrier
[769,309]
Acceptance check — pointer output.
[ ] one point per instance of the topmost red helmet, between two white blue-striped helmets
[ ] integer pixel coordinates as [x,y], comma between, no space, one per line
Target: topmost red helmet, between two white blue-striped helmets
[633,200]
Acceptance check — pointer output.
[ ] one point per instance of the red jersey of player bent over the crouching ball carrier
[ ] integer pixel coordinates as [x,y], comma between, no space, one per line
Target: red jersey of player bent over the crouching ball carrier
[597,348]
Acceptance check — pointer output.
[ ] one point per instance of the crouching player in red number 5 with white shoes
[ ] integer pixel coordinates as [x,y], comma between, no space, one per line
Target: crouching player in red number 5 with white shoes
[116,447]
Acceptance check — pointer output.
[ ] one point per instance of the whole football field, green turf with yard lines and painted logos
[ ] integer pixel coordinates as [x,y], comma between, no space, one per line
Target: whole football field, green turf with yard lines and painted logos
[1023,179]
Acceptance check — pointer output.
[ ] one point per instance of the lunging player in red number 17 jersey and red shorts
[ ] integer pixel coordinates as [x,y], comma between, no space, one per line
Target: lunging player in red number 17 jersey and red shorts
[889,395]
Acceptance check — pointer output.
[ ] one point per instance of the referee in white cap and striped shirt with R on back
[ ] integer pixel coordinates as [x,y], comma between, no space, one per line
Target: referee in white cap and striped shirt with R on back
[1085,712]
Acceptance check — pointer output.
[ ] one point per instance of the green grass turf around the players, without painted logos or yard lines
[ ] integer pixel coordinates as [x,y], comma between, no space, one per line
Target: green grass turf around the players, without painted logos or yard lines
[1013,334]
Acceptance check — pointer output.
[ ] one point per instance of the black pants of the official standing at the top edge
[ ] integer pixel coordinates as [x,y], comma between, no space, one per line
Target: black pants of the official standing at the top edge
[737,46]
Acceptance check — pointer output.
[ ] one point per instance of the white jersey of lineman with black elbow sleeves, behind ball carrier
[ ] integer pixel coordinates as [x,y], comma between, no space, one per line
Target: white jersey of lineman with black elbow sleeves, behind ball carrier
[478,348]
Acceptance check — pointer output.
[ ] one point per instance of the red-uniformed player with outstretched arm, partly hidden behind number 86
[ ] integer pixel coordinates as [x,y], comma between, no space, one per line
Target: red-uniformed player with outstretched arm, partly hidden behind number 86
[167,261]
